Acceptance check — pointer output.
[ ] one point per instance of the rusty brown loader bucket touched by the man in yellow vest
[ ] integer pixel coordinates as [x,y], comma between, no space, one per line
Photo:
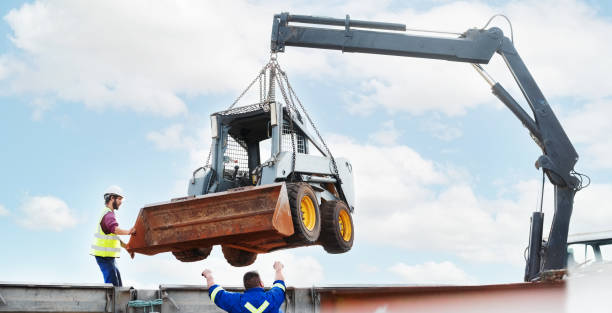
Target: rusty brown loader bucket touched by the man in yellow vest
[255,219]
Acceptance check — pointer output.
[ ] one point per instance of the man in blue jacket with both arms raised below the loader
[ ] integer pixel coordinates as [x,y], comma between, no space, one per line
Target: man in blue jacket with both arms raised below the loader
[254,299]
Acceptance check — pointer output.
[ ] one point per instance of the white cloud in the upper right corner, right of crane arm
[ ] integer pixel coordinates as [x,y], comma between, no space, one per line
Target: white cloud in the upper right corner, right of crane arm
[538,25]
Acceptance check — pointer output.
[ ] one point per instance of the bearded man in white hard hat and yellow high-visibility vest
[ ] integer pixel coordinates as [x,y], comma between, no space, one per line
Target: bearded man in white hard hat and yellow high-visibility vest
[107,245]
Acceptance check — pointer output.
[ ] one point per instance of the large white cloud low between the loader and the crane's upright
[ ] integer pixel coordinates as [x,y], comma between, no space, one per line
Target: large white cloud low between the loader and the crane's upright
[433,209]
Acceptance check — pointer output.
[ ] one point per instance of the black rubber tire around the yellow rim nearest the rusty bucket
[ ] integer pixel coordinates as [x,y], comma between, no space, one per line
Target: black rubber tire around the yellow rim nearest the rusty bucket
[302,235]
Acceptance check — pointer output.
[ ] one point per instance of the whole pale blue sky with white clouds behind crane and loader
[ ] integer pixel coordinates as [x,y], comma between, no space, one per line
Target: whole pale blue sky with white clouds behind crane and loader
[114,93]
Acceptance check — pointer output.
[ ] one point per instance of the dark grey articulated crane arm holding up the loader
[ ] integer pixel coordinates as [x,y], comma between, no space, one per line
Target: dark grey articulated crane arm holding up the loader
[475,46]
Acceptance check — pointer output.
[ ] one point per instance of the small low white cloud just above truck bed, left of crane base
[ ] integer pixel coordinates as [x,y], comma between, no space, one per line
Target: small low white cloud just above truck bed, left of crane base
[431,273]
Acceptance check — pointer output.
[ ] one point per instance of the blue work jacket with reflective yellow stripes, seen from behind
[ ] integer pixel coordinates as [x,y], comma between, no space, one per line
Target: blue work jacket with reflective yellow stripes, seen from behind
[254,300]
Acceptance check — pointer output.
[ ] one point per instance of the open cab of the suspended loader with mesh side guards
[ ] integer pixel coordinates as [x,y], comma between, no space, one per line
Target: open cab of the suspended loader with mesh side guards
[243,138]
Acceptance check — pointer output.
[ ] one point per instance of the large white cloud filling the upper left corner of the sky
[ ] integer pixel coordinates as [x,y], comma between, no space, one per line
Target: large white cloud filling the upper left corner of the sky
[138,55]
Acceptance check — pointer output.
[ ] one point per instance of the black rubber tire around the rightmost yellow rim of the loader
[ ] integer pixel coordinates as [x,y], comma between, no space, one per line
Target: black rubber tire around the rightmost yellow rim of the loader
[331,237]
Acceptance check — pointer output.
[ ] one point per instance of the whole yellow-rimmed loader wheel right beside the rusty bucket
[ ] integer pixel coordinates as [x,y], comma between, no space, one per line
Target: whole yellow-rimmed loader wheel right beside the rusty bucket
[304,213]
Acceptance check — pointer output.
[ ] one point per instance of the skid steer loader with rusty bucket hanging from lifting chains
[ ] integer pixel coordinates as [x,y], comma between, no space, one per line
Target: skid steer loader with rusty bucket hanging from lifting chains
[299,195]
